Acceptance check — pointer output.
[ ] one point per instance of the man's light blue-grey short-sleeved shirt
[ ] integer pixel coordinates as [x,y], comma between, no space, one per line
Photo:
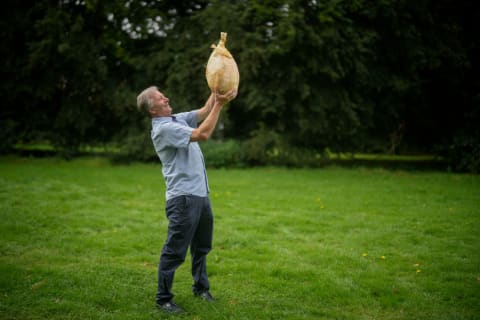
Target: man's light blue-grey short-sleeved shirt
[183,166]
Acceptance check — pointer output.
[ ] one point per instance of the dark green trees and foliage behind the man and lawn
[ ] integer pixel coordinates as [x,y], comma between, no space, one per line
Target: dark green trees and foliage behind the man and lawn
[391,76]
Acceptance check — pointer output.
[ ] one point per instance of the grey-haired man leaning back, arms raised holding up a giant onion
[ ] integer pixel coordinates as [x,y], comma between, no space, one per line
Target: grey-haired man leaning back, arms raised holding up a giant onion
[175,138]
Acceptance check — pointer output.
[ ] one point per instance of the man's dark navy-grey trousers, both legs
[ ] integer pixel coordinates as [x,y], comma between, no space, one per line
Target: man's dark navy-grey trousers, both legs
[190,224]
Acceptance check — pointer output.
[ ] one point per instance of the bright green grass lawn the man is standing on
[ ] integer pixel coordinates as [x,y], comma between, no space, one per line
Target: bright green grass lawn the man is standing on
[81,240]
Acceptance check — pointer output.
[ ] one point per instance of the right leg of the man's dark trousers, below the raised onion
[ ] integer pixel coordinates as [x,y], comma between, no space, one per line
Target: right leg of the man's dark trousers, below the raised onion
[200,246]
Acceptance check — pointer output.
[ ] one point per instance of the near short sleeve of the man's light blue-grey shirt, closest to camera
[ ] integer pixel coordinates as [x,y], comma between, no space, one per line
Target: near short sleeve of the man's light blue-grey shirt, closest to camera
[171,134]
